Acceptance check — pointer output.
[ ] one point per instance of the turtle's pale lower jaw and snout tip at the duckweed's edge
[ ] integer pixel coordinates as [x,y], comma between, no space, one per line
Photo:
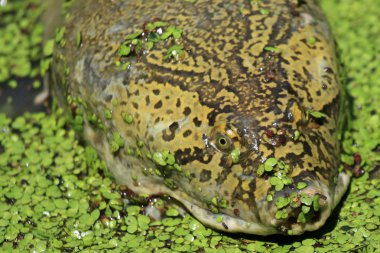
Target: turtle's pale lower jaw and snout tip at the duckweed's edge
[268,223]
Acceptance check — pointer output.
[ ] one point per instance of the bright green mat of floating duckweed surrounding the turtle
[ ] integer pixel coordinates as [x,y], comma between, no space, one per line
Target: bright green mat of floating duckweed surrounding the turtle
[56,195]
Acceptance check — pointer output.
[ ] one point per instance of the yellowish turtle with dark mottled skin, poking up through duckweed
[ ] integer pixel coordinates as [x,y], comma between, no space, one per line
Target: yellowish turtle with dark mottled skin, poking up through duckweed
[226,85]
